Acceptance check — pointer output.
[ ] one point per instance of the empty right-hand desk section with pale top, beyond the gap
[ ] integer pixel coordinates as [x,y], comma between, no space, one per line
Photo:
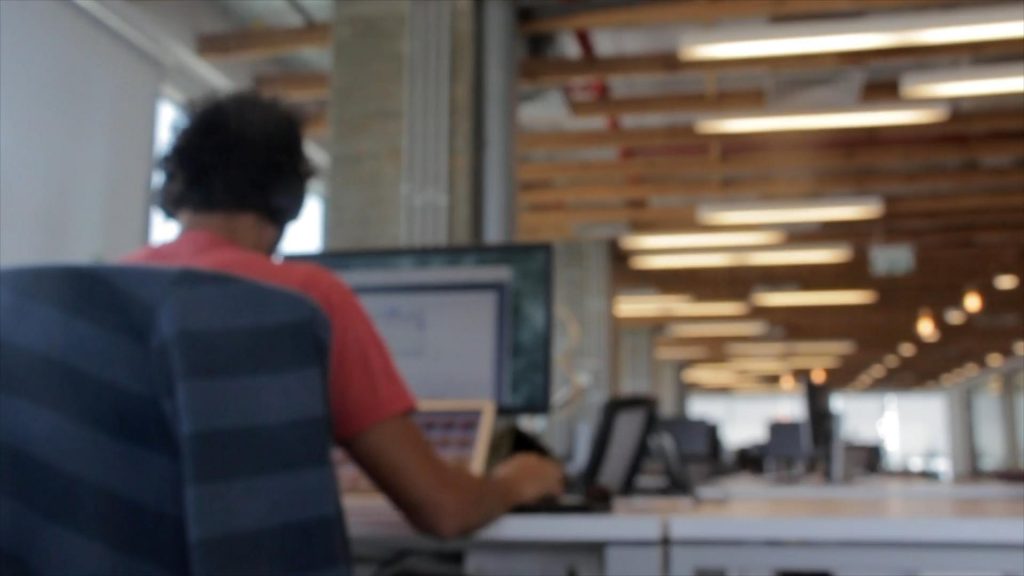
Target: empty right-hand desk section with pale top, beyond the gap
[845,537]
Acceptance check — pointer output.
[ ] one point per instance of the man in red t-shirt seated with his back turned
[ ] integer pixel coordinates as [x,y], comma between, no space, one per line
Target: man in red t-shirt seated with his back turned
[235,178]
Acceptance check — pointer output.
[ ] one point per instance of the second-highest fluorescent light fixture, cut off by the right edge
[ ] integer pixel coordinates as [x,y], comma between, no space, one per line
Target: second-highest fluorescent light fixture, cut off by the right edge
[979,80]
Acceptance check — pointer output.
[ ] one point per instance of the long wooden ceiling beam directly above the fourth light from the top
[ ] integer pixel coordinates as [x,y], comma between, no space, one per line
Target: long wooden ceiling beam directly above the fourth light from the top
[788,187]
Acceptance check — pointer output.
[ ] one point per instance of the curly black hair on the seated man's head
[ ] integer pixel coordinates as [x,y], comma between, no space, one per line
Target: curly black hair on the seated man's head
[240,153]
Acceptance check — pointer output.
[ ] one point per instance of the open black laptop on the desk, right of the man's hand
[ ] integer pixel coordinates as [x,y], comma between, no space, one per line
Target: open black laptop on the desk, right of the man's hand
[615,460]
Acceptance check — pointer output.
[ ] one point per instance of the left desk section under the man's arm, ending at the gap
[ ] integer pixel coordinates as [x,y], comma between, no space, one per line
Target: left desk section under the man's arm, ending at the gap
[550,545]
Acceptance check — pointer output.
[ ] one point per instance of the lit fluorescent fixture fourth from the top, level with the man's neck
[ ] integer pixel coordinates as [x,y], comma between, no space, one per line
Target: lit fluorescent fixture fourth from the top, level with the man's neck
[792,212]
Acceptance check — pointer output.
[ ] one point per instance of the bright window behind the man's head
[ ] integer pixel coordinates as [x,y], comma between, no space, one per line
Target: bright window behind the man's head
[304,236]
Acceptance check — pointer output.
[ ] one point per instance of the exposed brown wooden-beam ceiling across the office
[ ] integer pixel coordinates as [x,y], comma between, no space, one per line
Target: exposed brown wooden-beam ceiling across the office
[617,138]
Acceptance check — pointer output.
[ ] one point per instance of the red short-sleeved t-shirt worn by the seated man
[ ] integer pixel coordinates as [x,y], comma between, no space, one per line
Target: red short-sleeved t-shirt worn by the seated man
[365,387]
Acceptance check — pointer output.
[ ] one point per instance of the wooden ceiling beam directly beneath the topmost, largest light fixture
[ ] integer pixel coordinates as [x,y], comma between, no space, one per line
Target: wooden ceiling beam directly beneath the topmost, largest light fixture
[552,72]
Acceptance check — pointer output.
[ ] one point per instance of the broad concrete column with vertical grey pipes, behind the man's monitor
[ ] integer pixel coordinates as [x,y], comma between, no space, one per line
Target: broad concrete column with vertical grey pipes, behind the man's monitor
[402,125]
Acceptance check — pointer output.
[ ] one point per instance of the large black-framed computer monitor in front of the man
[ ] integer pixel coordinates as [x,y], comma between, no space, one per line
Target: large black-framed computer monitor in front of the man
[467,323]
